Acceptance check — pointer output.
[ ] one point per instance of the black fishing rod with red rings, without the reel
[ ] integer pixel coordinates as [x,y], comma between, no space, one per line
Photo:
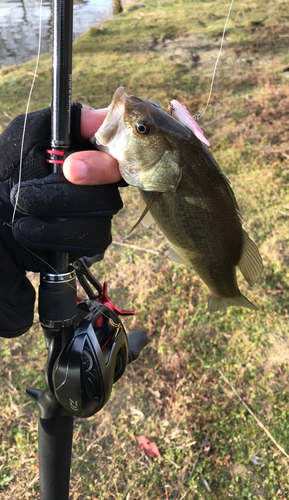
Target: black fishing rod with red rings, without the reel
[57,291]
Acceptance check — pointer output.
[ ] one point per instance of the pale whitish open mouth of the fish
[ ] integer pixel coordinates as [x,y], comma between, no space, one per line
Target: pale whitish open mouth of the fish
[108,130]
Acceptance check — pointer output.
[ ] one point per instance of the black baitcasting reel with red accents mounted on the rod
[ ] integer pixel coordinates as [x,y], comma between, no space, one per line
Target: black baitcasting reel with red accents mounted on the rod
[97,354]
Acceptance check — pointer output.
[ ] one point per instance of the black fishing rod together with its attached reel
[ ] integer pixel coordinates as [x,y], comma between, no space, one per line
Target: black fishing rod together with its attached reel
[88,348]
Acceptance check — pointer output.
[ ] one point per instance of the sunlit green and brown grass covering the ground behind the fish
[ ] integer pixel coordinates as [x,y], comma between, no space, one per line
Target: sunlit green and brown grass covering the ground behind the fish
[173,393]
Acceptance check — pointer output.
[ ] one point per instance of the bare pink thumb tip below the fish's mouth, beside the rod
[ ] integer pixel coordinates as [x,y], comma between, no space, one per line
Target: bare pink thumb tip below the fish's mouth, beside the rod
[91,167]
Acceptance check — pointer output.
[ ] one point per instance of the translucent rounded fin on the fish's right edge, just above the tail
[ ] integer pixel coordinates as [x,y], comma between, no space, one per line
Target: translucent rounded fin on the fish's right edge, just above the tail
[250,263]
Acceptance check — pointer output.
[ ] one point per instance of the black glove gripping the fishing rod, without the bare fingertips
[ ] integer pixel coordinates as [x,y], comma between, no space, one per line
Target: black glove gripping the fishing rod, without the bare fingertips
[52,214]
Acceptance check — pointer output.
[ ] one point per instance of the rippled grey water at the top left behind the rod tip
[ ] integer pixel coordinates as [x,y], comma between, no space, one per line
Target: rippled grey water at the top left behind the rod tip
[19,26]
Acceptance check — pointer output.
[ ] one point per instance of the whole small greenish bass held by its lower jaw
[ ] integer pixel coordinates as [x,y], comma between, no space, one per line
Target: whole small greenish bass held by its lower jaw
[185,192]
